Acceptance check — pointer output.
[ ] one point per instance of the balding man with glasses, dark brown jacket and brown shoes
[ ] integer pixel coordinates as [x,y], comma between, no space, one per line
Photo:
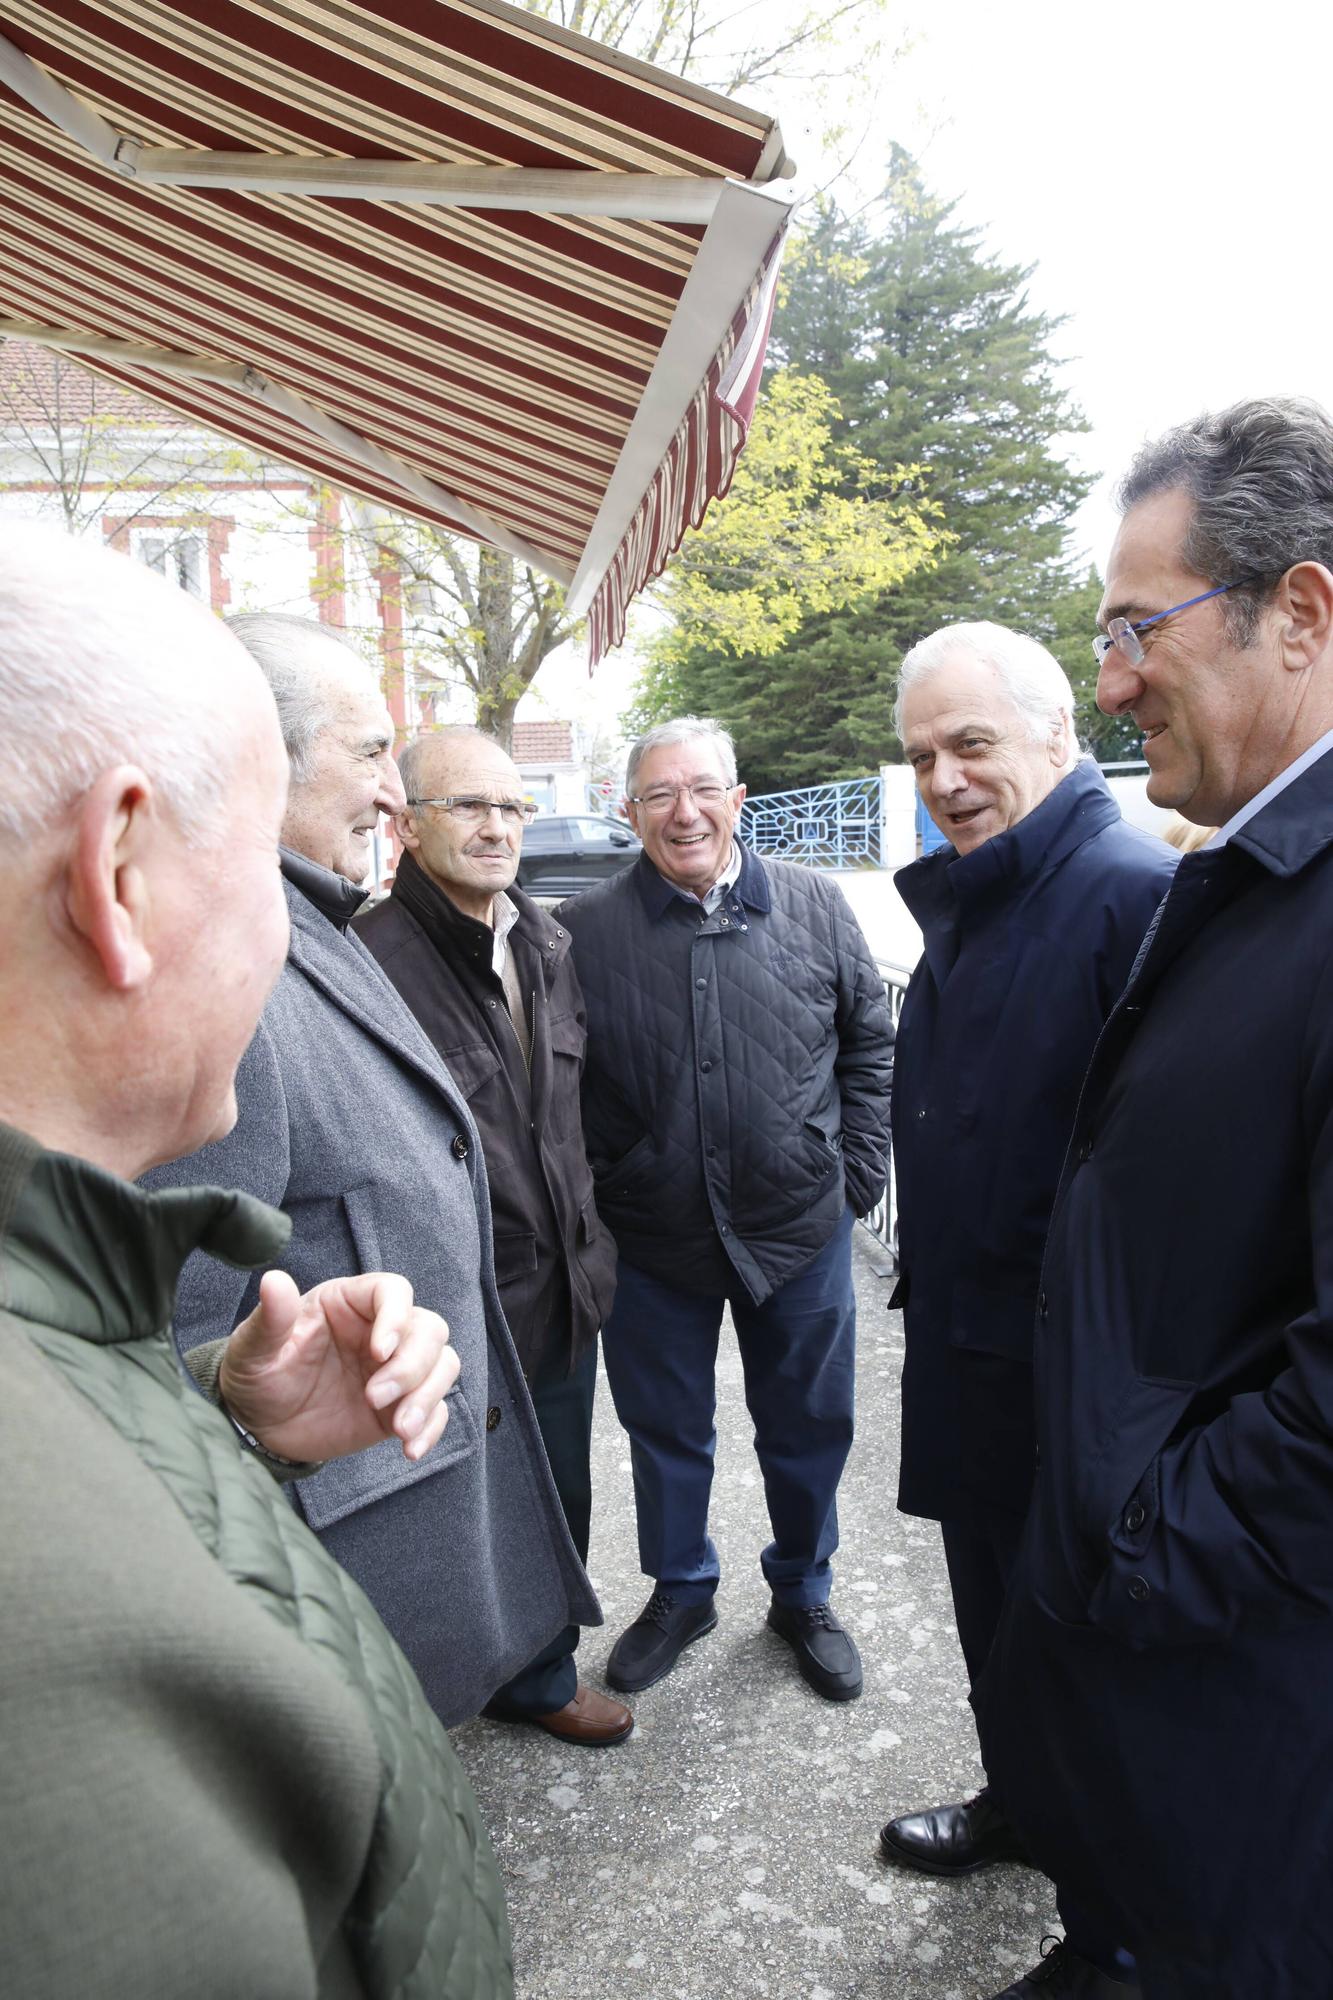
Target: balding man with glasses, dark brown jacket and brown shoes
[491,981]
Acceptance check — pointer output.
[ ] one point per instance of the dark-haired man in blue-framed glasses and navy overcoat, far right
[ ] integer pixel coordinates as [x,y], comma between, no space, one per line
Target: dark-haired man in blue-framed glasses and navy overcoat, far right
[1156,1711]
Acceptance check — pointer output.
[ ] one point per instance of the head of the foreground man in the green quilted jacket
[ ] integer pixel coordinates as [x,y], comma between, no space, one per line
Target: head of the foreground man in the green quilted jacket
[141,795]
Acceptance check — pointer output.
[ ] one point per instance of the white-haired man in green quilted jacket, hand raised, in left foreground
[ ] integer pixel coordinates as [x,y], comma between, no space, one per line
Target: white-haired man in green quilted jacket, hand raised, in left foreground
[221,1775]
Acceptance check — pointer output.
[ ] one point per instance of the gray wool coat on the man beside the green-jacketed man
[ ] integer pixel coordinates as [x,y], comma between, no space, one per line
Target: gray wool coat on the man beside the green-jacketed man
[353,1127]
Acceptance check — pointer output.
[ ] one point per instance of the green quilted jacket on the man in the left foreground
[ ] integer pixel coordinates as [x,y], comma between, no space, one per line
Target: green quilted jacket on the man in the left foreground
[221,1777]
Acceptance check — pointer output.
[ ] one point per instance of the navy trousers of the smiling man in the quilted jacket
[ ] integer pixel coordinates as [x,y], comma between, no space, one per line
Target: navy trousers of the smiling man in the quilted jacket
[798,1353]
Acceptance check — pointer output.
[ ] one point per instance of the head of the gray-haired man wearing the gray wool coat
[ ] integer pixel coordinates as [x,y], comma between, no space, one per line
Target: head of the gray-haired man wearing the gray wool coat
[339,739]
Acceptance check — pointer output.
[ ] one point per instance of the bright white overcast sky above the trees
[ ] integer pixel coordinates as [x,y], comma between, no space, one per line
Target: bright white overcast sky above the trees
[1164,165]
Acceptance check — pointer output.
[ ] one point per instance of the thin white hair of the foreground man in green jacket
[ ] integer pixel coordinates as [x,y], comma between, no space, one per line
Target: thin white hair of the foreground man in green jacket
[101,665]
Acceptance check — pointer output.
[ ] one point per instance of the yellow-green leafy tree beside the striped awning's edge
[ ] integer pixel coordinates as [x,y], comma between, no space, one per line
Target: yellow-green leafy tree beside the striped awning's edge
[810,531]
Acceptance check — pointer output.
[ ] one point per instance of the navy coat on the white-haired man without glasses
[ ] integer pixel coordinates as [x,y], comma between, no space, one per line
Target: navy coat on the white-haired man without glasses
[1028,945]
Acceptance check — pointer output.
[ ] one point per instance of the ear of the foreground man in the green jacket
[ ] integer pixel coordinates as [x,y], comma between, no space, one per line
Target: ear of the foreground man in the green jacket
[107,885]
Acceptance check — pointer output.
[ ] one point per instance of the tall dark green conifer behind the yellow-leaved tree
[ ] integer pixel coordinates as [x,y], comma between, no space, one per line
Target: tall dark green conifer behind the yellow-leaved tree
[938,365]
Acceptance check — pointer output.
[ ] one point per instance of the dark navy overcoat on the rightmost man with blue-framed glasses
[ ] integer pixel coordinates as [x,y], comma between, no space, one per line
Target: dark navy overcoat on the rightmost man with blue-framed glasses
[1160,1701]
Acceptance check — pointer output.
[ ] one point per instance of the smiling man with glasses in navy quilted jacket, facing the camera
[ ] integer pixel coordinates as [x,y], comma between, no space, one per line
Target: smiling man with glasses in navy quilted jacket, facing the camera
[738,1119]
